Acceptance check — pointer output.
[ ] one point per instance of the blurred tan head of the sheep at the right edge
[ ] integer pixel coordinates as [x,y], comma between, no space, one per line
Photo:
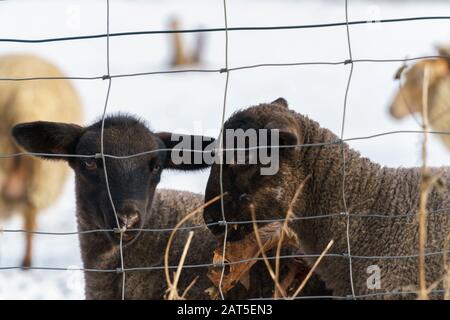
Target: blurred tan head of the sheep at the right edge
[408,99]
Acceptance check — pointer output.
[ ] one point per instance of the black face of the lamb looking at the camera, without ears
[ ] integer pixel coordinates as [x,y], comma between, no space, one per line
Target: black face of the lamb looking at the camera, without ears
[132,181]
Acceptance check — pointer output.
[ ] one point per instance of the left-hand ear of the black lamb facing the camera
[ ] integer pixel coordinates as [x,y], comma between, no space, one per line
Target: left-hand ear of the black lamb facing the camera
[47,138]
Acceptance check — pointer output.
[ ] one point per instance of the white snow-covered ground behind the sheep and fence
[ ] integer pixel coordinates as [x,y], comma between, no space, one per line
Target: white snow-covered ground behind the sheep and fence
[192,102]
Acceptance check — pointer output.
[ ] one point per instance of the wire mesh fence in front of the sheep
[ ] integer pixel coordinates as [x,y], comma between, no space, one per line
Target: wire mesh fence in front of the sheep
[226,70]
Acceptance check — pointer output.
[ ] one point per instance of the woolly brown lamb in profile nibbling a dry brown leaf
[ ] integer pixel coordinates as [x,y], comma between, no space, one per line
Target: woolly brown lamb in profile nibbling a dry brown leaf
[370,190]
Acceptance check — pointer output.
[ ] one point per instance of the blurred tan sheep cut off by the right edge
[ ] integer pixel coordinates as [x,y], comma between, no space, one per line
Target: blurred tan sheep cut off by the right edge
[408,99]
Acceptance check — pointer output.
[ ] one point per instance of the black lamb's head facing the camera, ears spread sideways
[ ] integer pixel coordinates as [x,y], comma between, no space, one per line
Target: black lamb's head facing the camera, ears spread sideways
[133,167]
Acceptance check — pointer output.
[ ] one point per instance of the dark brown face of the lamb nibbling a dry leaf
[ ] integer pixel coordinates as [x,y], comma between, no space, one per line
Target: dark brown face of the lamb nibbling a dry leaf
[246,189]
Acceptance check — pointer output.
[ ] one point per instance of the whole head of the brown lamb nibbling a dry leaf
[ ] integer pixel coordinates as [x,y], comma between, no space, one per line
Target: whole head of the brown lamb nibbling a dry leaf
[247,187]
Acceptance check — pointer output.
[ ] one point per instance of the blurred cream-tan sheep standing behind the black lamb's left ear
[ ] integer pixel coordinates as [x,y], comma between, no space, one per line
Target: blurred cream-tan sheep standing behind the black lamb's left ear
[28,185]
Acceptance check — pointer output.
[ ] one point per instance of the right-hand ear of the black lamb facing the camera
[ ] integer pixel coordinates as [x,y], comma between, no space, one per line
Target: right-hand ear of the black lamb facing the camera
[187,151]
